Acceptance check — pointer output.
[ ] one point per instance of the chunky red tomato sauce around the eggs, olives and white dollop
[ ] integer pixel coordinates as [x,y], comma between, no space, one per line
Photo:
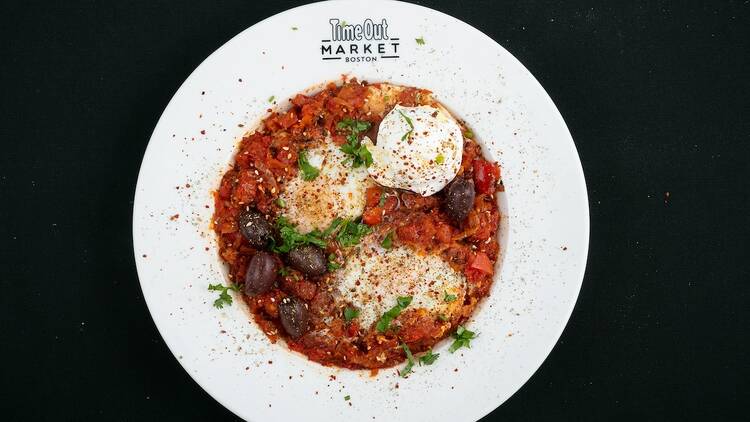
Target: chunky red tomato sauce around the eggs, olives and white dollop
[267,159]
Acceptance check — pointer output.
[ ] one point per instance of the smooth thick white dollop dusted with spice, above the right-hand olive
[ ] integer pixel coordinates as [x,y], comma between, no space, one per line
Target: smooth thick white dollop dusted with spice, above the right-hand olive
[418,149]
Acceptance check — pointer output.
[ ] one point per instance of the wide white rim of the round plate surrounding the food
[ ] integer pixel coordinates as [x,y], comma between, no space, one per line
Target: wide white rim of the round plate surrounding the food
[545,229]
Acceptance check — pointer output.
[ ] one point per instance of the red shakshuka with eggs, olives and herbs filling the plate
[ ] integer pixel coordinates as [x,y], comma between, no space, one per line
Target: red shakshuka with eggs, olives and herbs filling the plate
[360,225]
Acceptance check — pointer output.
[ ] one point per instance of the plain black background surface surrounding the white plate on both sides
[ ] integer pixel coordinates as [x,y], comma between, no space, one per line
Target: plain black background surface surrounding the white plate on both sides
[654,93]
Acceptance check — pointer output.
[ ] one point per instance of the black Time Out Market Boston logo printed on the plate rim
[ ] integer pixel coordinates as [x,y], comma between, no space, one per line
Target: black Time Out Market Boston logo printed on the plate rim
[368,41]
